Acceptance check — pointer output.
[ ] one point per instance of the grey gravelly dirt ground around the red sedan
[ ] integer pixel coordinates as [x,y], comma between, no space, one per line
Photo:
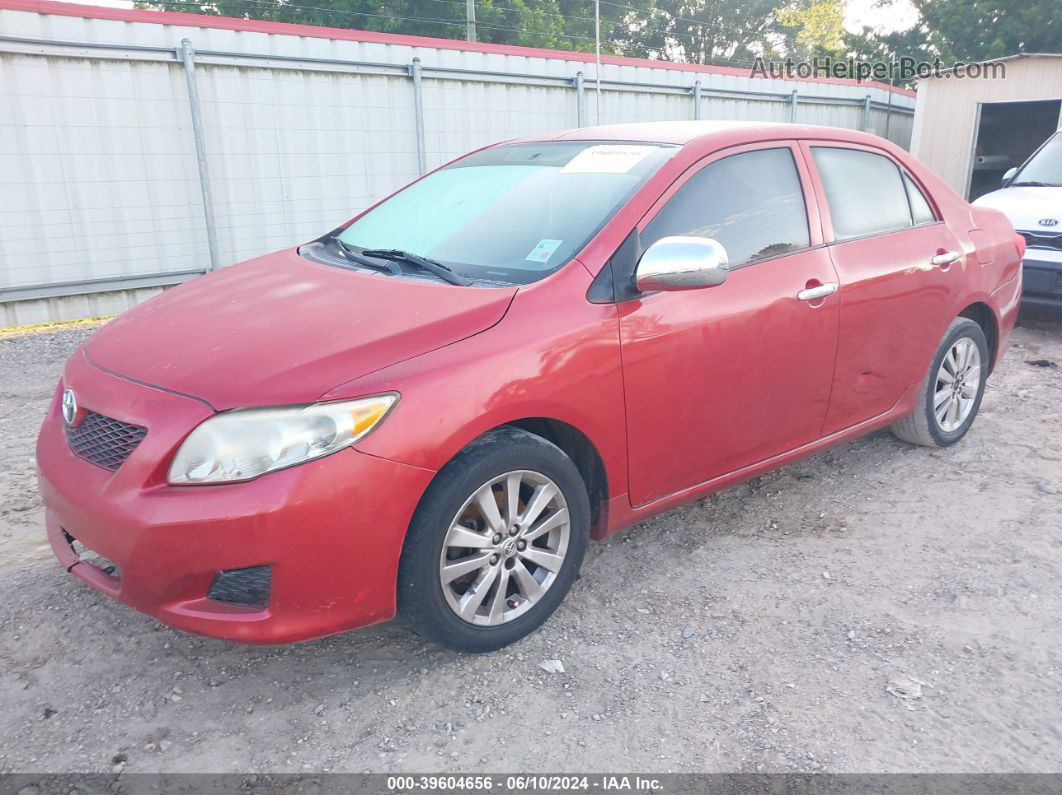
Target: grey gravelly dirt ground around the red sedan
[876,609]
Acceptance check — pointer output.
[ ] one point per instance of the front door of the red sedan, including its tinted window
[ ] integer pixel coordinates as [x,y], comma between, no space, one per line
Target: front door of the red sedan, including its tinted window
[724,377]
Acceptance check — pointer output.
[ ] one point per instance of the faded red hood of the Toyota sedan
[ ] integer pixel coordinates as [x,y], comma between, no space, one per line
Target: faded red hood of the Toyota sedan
[282,331]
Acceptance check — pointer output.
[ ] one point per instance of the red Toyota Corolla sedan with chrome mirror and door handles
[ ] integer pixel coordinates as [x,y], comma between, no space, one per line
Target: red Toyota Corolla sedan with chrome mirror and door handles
[433,409]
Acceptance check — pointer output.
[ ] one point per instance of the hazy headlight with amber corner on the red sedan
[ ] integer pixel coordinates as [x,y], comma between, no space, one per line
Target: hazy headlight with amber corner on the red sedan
[245,444]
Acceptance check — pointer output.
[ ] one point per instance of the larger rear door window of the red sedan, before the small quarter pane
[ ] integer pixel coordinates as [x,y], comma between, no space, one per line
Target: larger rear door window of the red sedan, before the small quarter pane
[865,192]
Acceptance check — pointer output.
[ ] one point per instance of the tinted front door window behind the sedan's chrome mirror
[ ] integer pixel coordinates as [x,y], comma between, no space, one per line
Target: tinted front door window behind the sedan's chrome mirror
[751,203]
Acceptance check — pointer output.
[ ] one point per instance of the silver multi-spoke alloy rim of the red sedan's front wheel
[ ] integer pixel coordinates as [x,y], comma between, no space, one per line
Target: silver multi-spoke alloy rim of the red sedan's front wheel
[505,548]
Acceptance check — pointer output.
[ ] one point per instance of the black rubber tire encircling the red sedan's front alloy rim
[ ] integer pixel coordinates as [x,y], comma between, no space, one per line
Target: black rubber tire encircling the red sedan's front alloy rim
[422,603]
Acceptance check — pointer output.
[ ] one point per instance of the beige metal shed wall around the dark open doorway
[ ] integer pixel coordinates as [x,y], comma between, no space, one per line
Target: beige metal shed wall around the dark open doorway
[947,113]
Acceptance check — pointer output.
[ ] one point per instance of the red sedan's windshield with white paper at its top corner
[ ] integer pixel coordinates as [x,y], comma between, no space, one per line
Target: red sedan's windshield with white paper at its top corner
[510,214]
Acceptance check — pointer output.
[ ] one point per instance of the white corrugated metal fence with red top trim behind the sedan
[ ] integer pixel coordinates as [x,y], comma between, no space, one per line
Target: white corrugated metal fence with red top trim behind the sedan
[138,154]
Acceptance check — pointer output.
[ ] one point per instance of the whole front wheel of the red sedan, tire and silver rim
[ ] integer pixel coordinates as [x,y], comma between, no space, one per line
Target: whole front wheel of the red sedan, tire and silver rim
[495,544]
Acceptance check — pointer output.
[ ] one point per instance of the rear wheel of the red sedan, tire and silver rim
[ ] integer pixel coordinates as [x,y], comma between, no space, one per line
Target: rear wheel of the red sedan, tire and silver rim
[952,392]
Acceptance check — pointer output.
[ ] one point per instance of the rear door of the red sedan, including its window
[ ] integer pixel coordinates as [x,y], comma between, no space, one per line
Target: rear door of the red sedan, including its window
[900,269]
